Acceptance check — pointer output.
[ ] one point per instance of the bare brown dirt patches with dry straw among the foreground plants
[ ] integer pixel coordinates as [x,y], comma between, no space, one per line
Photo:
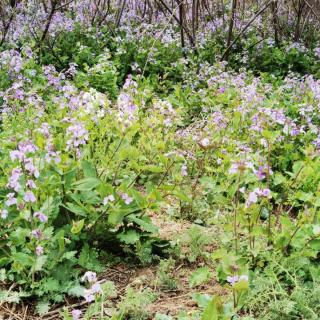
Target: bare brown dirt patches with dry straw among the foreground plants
[168,302]
